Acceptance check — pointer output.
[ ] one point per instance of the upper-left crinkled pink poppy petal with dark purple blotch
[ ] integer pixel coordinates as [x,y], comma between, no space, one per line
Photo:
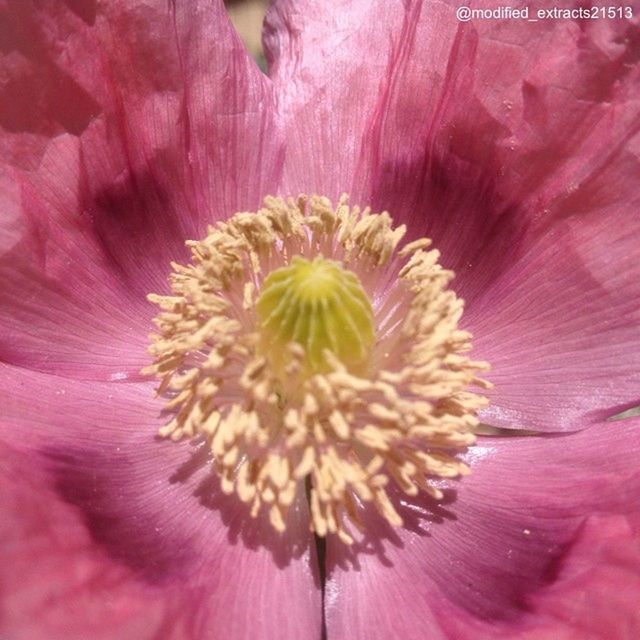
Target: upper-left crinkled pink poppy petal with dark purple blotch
[126,127]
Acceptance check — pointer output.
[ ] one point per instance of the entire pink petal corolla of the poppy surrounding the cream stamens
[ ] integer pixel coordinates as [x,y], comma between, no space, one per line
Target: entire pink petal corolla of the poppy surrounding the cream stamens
[129,126]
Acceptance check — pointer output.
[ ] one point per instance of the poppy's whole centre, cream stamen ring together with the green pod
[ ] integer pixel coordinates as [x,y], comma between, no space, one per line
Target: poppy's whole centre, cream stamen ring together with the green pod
[307,349]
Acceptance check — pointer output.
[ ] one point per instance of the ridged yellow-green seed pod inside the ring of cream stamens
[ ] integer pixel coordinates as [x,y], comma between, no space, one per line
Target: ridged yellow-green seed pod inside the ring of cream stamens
[319,305]
